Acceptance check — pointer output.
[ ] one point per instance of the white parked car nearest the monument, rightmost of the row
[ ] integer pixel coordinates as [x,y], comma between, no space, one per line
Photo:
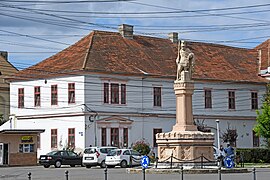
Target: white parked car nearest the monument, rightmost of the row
[123,158]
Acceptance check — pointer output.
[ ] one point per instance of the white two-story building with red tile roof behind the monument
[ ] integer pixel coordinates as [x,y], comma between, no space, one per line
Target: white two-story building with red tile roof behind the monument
[114,88]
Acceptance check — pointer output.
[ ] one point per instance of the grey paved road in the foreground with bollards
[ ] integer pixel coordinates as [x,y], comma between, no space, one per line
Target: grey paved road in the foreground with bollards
[81,173]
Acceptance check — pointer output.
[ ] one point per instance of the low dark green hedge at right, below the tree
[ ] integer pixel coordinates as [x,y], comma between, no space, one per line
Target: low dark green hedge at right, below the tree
[254,155]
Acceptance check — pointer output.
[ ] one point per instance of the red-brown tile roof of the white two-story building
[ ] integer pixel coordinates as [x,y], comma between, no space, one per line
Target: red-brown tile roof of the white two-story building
[109,52]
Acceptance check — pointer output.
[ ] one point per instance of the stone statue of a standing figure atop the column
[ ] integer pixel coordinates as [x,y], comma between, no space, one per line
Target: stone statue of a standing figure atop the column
[185,62]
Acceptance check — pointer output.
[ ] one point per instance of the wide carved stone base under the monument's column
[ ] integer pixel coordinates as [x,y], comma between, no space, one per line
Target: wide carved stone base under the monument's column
[185,145]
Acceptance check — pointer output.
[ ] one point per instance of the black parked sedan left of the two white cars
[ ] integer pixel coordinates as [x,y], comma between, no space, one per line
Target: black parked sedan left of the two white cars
[58,158]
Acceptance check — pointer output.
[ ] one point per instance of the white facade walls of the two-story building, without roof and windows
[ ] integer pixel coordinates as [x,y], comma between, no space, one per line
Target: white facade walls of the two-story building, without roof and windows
[89,114]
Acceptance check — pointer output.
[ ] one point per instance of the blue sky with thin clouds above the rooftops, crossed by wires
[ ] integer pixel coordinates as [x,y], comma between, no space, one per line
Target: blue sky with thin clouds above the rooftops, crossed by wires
[34,30]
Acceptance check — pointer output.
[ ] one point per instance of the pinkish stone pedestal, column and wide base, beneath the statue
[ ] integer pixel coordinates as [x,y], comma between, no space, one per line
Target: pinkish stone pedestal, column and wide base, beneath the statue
[185,142]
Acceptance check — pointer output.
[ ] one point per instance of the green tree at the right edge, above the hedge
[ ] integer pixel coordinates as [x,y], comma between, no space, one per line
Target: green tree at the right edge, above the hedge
[262,128]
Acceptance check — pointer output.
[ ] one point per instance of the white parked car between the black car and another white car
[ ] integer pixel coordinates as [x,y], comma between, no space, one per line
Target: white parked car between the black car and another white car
[95,156]
